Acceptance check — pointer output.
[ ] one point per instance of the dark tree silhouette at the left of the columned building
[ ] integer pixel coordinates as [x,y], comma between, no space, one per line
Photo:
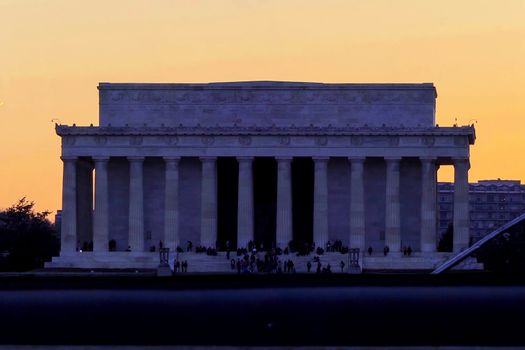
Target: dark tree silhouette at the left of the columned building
[27,238]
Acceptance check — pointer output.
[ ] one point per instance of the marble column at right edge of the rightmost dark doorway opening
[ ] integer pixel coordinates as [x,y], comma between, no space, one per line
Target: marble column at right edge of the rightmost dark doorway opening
[321,201]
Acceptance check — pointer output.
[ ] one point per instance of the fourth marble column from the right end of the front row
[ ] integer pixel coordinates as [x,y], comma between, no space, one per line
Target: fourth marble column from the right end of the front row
[357,204]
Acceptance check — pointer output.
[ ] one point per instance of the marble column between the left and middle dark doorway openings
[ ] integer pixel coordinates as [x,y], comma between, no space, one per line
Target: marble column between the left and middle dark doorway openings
[245,202]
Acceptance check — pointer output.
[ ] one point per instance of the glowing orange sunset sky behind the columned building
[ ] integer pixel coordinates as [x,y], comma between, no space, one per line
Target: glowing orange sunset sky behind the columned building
[54,53]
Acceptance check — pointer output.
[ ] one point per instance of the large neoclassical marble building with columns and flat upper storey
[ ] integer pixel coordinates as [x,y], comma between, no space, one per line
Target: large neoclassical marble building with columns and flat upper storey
[269,162]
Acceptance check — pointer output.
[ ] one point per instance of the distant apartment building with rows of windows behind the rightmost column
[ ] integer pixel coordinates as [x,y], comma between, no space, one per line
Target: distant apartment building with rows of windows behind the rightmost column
[492,203]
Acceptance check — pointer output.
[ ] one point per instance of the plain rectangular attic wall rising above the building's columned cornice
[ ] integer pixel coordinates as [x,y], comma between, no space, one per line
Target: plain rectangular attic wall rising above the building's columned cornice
[267,104]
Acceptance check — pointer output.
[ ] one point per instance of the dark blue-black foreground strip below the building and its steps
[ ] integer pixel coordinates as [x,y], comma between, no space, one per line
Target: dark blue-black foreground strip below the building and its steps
[248,310]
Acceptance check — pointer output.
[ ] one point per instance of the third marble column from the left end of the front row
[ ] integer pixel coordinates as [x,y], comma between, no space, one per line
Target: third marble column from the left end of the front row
[136,204]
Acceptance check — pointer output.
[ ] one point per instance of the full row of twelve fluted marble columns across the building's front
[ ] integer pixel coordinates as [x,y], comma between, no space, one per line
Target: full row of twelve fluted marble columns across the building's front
[245,221]
